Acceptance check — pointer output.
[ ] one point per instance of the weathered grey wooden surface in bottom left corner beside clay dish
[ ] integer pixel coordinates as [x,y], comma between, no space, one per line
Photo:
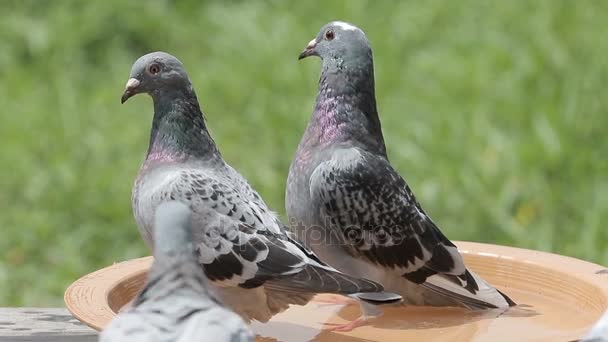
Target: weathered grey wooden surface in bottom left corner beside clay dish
[42,324]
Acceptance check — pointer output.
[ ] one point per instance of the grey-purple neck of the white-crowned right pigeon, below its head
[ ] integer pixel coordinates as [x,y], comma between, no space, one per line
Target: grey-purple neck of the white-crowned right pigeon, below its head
[345,108]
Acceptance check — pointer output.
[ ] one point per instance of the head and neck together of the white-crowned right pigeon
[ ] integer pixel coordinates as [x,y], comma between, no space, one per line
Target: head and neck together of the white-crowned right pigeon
[345,108]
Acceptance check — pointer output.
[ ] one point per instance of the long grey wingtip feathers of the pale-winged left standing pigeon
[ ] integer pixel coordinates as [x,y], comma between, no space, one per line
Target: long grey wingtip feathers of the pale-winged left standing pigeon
[320,279]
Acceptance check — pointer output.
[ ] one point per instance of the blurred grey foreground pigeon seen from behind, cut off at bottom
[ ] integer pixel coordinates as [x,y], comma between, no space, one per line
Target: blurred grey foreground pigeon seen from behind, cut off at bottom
[175,305]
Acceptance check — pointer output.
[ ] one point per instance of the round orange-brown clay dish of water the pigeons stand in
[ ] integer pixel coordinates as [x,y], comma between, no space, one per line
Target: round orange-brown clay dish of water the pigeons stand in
[560,298]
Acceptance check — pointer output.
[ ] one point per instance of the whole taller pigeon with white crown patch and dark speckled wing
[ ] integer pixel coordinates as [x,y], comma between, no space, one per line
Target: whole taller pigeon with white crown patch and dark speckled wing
[348,204]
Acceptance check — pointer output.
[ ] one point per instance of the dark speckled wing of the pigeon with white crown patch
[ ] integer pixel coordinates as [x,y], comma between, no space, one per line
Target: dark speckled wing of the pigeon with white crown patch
[380,220]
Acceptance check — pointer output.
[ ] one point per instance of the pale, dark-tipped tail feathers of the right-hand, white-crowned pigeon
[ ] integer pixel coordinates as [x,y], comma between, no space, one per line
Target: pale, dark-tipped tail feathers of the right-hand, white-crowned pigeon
[459,293]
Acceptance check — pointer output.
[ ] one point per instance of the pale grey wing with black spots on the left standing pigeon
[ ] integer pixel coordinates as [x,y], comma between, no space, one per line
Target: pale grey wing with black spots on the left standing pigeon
[243,244]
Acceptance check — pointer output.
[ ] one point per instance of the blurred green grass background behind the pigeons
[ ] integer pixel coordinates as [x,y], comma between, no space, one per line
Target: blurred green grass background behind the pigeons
[495,112]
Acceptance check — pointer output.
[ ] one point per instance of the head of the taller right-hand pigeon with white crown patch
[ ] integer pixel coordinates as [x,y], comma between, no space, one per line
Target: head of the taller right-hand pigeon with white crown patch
[338,42]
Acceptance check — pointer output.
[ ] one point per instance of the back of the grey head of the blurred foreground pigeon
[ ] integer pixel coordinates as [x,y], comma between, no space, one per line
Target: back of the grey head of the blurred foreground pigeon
[172,229]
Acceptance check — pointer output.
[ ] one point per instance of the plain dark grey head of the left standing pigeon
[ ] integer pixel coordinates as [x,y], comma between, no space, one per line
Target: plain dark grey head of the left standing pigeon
[153,72]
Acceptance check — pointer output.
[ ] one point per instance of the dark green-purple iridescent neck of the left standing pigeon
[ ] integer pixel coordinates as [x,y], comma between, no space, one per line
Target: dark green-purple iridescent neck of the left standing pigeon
[178,128]
